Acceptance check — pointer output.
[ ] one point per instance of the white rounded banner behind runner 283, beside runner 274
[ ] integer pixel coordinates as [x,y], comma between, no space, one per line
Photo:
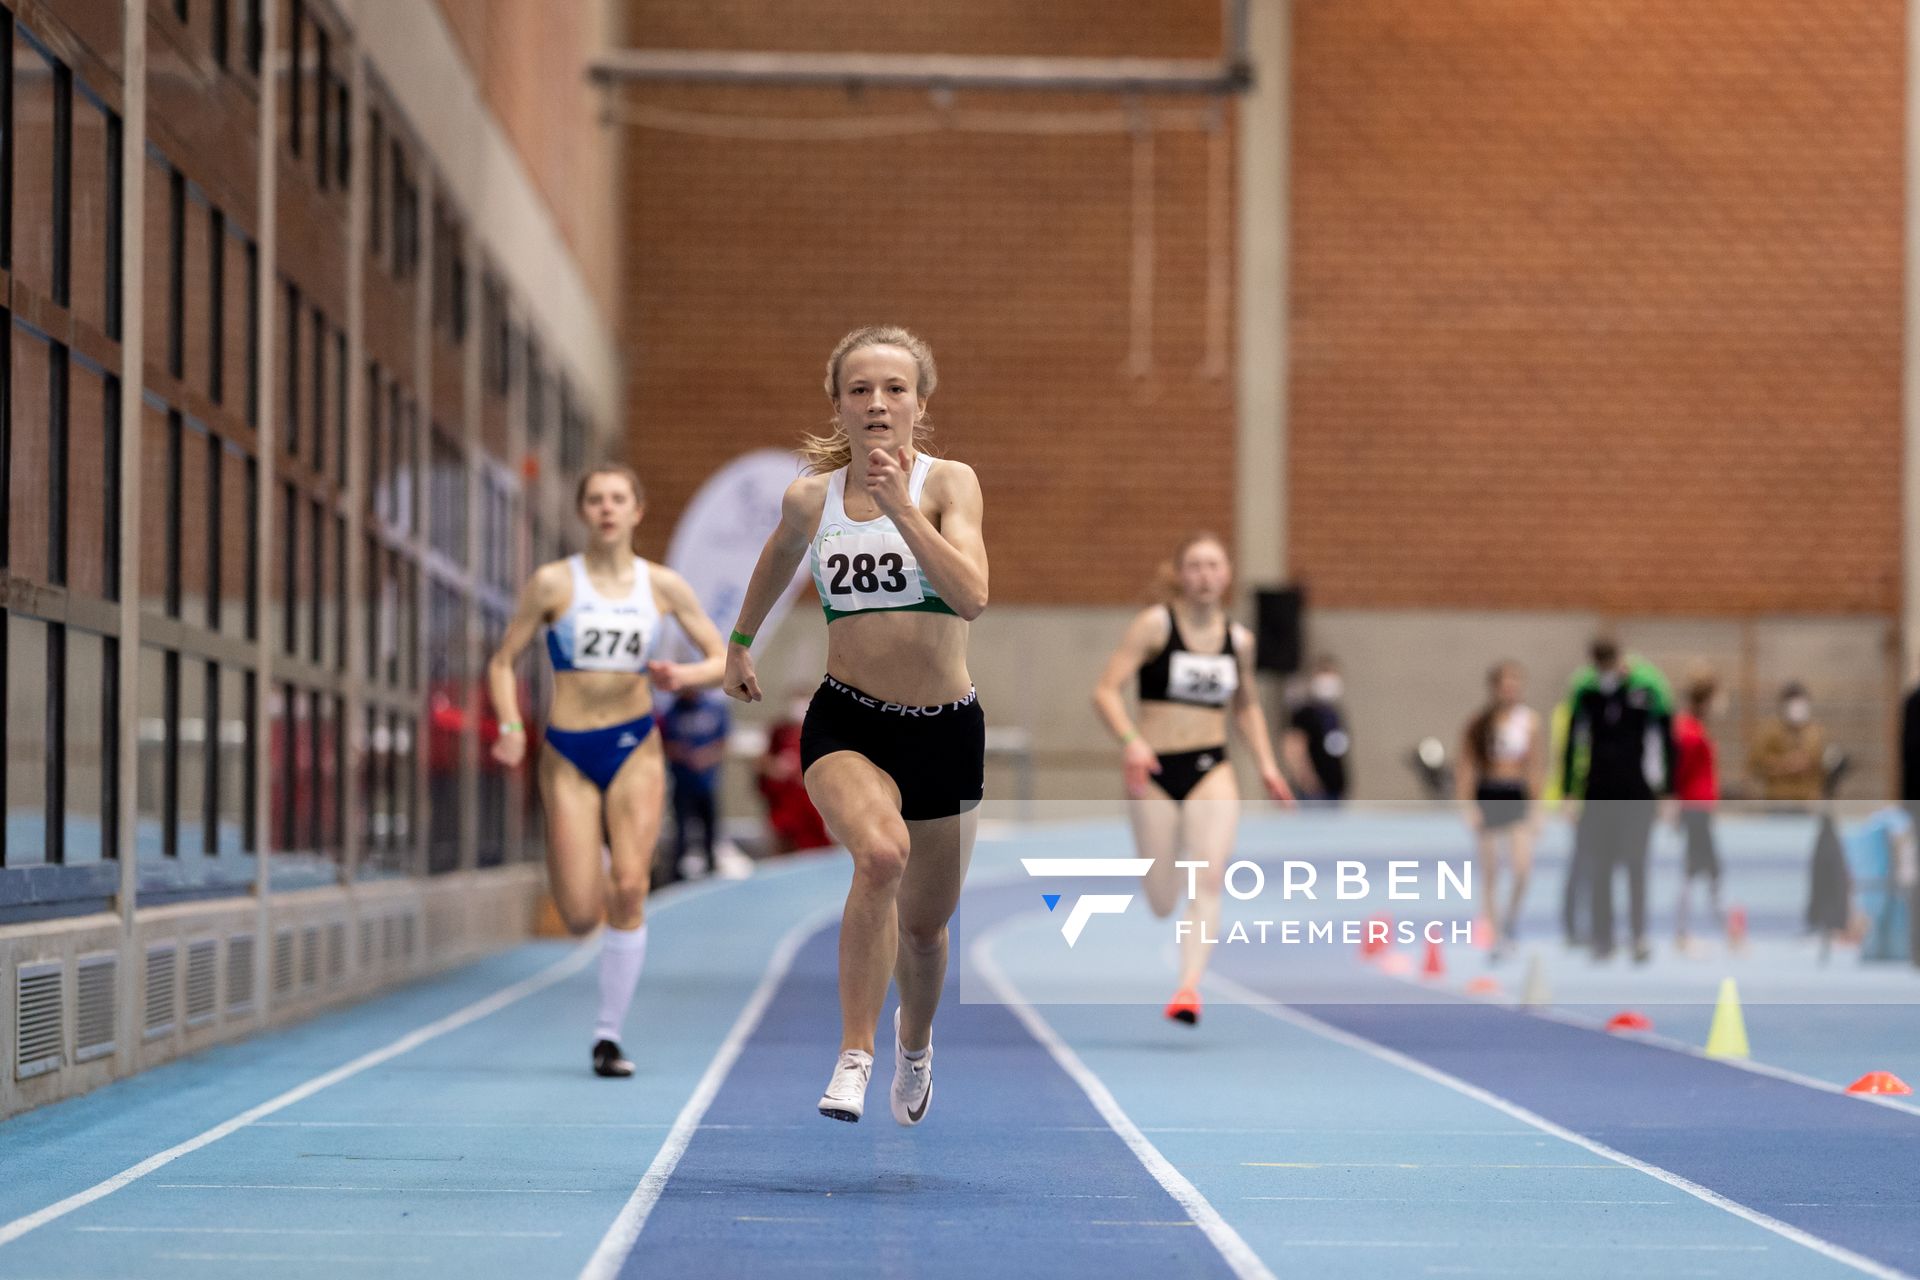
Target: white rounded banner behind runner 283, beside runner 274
[721,536]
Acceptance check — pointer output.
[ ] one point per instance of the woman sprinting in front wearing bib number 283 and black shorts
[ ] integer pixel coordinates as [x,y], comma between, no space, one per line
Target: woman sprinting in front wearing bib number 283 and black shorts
[894,744]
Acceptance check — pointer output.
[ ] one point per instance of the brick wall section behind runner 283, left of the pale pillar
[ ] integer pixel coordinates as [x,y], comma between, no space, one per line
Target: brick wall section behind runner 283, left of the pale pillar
[1011,254]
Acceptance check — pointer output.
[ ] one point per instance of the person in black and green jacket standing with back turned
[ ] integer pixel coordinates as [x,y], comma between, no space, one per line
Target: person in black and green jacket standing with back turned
[1620,757]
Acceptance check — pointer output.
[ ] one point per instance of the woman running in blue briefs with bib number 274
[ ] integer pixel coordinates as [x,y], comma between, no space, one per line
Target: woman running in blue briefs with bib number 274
[604,770]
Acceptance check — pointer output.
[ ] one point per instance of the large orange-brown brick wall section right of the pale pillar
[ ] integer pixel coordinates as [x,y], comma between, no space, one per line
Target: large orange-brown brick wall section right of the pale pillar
[1598,304]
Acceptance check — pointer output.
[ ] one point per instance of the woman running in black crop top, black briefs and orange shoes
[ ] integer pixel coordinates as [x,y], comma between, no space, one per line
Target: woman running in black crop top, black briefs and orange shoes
[1193,663]
